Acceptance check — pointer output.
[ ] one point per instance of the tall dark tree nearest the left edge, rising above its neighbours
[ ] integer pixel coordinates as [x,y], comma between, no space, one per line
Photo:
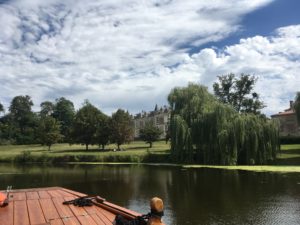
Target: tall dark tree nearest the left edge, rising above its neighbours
[23,119]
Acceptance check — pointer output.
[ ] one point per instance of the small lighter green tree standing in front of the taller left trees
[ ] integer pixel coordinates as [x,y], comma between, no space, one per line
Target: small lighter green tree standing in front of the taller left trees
[49,131]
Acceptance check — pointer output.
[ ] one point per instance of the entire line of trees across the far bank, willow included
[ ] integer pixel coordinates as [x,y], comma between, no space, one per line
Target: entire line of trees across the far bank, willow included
[225,128]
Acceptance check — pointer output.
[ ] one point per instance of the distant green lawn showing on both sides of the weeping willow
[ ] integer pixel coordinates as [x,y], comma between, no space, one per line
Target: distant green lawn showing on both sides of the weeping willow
[136,151]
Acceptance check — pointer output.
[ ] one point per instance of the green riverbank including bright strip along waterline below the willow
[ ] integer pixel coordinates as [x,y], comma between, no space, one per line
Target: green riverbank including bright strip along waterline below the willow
[135,152]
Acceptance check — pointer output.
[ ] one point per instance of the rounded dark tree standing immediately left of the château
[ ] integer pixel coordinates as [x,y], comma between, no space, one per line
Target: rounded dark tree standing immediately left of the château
[122,127]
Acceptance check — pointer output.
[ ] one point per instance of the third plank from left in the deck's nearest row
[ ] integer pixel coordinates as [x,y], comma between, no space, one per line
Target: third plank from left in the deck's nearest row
[35,212]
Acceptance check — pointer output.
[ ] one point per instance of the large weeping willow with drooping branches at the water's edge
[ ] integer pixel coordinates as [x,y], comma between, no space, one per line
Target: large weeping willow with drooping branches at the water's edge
[206,131]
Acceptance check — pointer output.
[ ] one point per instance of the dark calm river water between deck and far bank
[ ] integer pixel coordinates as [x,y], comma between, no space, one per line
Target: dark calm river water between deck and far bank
[191,196]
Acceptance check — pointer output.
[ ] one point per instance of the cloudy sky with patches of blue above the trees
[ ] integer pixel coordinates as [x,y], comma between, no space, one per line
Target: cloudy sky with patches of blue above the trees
[130,53]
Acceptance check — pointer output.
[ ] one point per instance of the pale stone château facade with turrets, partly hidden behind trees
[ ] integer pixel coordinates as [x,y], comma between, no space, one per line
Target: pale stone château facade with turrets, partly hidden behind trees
[159,118]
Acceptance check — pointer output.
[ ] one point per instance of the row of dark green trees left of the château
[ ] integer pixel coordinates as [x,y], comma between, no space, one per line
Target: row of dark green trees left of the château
[59,122]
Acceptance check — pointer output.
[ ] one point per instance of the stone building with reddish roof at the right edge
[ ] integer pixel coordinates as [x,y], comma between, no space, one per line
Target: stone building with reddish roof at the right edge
[288,122]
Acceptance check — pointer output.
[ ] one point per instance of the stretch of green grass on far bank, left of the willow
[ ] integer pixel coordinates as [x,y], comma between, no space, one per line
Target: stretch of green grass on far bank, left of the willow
[133,152]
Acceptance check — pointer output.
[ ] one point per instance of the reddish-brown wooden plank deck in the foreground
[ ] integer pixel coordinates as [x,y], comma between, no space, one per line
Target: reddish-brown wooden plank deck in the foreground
[43,206]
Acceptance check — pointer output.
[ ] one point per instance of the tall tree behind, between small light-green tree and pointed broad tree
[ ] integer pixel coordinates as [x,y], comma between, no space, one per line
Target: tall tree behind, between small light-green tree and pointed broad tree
[64,112]
